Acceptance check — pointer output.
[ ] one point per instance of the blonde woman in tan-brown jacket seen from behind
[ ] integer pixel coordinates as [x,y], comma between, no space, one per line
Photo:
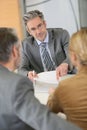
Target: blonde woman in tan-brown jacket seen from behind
[70,97]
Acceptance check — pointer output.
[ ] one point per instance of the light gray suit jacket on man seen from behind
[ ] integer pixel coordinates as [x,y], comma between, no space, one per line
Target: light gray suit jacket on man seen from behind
[20,110]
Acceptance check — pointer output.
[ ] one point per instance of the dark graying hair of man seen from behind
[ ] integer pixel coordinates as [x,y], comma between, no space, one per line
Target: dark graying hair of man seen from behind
[8,38]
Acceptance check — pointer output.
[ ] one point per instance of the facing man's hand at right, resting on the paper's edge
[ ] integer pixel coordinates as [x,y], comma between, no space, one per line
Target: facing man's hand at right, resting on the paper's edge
[61,70]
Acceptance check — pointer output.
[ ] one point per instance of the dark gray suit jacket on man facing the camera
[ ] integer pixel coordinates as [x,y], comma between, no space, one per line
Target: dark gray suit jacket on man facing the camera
[58,46]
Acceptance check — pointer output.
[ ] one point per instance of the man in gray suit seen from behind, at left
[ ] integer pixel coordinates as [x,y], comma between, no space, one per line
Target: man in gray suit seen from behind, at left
[19,109]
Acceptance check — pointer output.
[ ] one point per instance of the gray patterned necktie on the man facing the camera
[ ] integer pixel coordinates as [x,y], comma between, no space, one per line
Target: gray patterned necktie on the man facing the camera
[48,63]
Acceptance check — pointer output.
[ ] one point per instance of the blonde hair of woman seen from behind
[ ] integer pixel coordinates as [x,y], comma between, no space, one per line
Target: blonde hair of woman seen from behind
[78,44]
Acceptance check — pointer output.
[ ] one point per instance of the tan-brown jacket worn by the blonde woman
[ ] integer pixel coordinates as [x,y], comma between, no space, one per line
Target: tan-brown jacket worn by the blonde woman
[70,97]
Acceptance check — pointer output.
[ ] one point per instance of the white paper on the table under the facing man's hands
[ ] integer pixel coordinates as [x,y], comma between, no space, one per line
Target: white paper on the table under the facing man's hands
[46,80]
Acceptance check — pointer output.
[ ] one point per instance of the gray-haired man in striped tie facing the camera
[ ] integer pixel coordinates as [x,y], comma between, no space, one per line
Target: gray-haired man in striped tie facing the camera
[52,42]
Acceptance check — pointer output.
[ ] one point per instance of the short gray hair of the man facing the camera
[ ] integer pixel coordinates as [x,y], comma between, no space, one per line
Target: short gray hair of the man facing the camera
[32,14]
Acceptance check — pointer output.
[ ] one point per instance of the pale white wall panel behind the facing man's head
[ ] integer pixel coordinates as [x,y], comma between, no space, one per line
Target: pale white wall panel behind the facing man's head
[58,13]
